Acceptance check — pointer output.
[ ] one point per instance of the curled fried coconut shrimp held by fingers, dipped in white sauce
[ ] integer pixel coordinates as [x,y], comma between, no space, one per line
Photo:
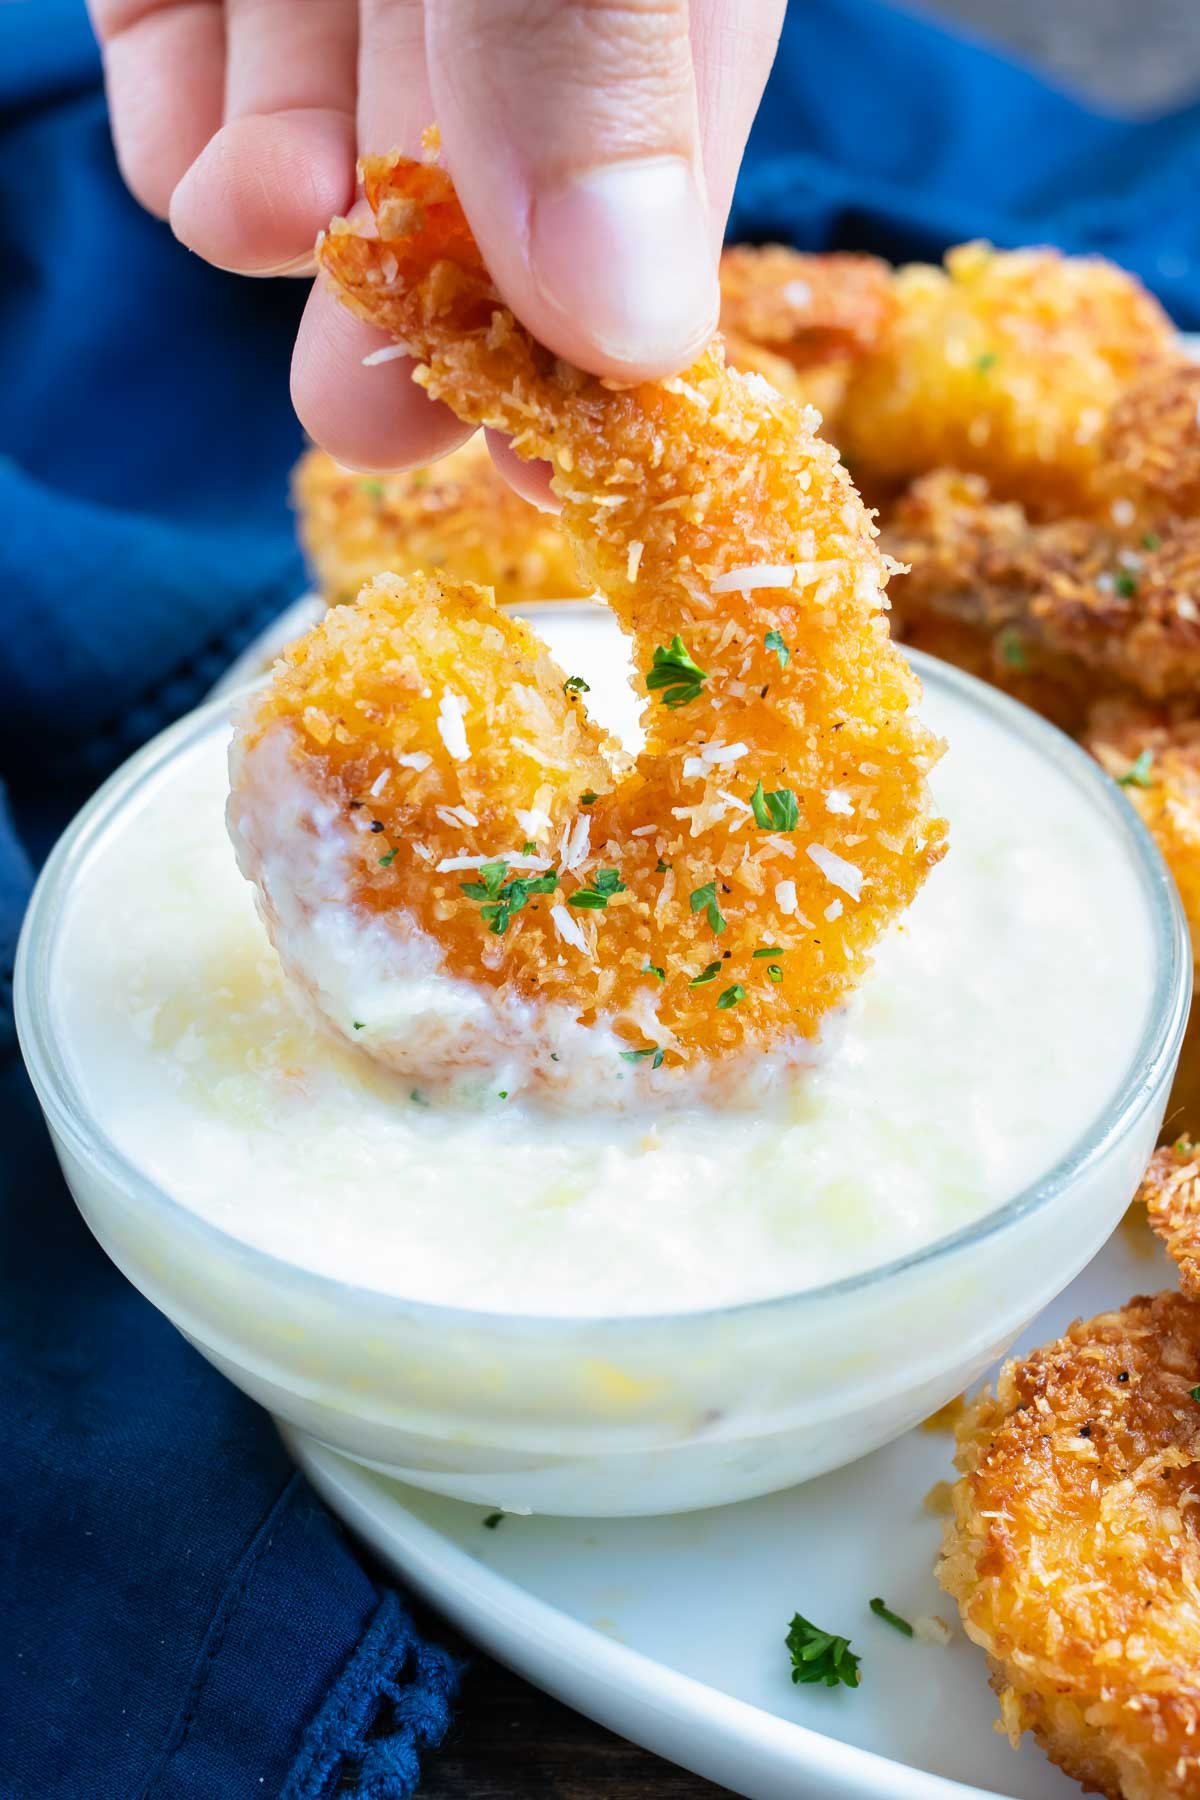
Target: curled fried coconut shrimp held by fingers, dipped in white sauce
[456,859]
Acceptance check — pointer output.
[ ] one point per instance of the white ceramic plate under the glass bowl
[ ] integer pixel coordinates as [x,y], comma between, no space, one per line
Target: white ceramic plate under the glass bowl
[672,1632]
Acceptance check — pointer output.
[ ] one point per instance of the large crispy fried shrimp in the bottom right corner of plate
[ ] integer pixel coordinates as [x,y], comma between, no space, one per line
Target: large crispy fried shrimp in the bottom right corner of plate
[1075,1549]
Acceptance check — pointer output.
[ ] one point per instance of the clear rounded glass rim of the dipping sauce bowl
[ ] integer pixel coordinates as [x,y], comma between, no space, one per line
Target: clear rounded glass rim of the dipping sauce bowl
[1143,1081]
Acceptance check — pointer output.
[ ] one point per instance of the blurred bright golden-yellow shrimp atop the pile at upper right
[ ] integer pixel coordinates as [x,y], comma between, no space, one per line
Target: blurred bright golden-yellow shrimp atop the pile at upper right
[1005,364]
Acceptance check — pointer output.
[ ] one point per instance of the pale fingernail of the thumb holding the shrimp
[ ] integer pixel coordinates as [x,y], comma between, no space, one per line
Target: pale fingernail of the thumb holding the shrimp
[625,255]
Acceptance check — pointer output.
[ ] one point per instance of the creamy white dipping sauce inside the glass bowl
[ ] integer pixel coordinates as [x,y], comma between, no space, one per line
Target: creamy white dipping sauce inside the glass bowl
[992,1032]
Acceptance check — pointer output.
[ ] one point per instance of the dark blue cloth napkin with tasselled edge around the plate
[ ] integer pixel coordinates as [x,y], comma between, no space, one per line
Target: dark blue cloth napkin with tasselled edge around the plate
[181,1619]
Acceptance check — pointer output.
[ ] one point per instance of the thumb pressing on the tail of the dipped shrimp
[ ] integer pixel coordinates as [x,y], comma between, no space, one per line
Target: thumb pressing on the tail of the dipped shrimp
[571,129]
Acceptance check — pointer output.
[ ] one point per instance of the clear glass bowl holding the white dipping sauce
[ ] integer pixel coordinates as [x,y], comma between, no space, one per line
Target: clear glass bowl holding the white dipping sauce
[616,1416]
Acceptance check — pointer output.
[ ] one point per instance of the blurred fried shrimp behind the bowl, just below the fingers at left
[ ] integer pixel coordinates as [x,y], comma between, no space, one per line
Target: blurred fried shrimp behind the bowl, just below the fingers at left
[458,516]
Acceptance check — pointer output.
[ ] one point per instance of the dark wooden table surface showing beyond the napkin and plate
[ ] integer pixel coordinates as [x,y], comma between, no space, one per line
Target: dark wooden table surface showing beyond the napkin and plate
[514,1743]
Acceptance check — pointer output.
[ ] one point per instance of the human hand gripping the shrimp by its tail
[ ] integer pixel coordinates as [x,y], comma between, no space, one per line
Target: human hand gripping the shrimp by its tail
[595,148]
